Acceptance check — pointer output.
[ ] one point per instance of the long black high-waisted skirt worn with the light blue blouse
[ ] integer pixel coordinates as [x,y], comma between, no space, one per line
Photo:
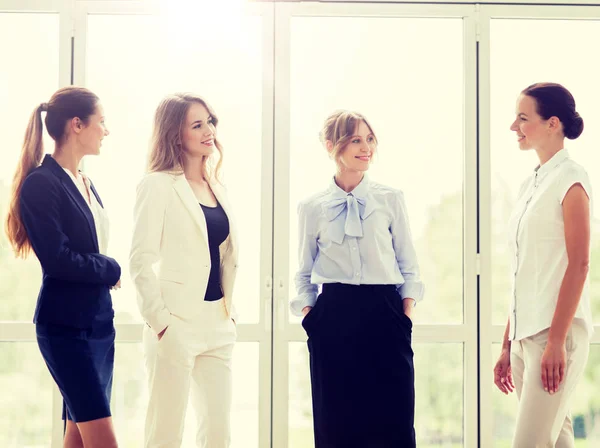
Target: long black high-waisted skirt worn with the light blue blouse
[361,368]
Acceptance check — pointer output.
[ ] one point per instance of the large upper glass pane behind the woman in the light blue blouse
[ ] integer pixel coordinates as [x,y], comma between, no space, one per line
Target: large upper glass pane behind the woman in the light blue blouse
[373,74]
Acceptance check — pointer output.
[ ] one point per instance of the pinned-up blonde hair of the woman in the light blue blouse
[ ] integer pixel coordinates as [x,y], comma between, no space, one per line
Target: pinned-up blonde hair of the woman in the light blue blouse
[339,129]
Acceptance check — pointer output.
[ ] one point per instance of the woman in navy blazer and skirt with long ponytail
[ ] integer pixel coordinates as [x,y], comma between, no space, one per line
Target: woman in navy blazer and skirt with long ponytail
[57,212]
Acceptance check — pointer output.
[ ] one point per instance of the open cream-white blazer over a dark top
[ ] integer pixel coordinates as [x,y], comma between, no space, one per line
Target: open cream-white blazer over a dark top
[169,261]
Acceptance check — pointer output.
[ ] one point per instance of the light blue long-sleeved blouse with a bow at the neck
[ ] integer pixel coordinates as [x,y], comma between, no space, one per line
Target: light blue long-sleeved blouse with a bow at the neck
[361,237]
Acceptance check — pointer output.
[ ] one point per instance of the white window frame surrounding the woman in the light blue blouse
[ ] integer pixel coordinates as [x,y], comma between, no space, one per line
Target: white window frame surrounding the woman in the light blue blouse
[285,332]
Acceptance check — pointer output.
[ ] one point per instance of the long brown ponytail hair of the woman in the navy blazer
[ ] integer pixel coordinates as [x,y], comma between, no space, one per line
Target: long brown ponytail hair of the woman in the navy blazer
[66,104]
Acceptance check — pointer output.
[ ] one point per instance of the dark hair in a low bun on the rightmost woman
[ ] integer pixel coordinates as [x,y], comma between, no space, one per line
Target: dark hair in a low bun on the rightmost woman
[553,100]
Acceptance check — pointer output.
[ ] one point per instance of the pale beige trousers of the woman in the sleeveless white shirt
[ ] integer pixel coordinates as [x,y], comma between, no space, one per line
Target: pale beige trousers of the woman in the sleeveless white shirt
[544,420]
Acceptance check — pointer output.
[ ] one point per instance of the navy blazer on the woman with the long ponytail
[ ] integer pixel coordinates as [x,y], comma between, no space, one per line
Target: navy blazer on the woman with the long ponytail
[60,226]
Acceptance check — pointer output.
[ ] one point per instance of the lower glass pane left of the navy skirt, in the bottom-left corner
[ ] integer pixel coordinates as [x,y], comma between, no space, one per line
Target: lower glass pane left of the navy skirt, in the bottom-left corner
[26,411]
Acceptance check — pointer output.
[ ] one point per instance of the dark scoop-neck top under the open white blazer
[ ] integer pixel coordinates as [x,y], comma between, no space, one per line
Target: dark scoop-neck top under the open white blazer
[217,226]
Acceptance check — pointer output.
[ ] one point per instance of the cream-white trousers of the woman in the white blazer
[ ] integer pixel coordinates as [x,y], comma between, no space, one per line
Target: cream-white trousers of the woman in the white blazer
[194,352]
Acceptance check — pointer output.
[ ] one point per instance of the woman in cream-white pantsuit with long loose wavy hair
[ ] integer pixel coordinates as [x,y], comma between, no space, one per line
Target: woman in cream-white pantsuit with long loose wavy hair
[183,263]
